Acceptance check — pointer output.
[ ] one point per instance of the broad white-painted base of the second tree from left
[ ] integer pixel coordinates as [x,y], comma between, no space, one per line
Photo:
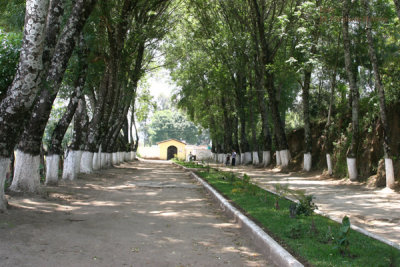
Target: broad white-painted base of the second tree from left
[26,174]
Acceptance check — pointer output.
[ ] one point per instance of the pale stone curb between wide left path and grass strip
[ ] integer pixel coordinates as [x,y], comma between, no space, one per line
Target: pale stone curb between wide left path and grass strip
[268,246]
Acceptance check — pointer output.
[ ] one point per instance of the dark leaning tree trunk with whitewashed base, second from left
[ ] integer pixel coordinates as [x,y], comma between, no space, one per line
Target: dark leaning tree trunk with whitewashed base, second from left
[31,139]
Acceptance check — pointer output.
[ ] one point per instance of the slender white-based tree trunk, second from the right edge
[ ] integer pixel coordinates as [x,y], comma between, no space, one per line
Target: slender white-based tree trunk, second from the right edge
[353,149]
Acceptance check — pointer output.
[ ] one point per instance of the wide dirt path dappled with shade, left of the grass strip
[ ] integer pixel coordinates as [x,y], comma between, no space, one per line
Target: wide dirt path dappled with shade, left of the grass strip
[138,214]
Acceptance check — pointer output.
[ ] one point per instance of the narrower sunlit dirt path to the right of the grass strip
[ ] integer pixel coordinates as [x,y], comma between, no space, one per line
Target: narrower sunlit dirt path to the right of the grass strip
[375,210]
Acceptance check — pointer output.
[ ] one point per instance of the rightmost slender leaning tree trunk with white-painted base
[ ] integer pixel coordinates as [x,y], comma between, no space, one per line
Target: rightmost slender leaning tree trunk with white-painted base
[382,104]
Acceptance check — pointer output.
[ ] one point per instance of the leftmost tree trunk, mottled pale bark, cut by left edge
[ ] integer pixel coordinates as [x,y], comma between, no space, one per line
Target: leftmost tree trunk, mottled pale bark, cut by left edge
[19,98]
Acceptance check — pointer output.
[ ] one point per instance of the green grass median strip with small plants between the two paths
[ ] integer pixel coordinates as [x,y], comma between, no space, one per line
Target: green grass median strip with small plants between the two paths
[314,248]
